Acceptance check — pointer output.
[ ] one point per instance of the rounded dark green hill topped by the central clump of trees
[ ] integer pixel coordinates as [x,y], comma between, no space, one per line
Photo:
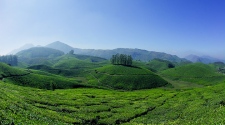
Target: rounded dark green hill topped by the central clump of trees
[123,77]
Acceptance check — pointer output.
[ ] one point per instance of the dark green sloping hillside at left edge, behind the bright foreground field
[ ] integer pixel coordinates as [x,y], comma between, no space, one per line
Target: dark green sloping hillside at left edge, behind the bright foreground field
[37,79]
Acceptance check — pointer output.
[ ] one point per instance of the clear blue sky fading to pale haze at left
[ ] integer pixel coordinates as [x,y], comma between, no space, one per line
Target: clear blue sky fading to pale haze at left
[174,26]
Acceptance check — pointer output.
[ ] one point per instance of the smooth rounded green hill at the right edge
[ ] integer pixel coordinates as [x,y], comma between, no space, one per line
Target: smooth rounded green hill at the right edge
[197,73]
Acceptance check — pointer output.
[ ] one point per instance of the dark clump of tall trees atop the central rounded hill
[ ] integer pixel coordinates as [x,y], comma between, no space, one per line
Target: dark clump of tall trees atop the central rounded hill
[121,59]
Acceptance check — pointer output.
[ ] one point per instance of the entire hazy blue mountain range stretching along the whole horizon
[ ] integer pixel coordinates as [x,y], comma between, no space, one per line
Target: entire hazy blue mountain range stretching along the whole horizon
[137,54]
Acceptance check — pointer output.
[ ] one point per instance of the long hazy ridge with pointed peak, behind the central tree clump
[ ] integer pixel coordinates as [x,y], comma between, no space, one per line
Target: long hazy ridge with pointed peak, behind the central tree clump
[137,54]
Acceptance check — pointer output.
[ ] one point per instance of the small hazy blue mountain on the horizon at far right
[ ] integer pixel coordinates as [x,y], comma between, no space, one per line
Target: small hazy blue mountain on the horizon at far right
[202,59]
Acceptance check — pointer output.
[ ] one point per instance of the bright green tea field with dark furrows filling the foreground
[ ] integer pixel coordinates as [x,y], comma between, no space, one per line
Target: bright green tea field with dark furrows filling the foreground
[24,105]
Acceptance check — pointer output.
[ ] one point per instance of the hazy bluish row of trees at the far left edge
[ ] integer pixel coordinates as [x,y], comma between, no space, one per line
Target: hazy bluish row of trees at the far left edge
[9,59]
